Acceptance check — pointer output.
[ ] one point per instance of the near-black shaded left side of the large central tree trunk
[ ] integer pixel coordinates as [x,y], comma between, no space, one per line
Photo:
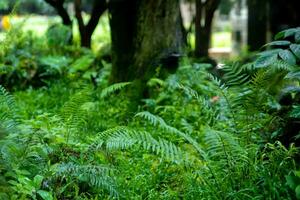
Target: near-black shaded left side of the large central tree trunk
[123,31]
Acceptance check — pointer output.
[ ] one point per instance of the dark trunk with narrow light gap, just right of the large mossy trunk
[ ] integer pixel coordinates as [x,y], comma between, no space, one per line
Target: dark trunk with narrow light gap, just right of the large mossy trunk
[203,25]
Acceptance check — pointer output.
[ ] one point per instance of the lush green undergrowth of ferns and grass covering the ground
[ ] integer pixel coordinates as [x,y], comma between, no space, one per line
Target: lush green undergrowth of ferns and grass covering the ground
[195,137]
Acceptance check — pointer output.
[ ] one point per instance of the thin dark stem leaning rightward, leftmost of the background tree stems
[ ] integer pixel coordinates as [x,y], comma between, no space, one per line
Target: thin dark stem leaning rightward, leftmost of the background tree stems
[58,5]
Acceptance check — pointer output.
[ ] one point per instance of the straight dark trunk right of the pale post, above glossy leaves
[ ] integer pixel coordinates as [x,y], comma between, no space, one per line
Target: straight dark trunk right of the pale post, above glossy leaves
[257,24]
